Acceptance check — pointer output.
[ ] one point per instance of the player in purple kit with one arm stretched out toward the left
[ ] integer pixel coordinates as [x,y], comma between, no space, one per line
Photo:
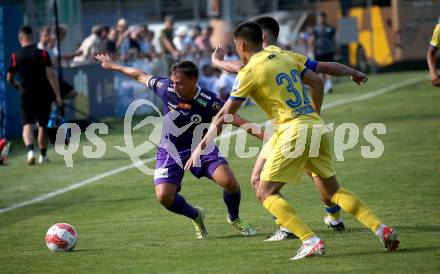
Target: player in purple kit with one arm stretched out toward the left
[185,106]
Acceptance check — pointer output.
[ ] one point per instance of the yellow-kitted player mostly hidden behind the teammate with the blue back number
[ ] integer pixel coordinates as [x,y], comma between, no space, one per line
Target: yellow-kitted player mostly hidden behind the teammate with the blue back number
[271,30]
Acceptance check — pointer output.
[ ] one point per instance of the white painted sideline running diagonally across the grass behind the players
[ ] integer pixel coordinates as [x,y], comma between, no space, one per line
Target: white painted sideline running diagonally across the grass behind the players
[124,168]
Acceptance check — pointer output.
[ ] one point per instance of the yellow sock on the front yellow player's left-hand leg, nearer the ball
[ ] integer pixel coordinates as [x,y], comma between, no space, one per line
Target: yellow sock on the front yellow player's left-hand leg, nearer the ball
[286,215]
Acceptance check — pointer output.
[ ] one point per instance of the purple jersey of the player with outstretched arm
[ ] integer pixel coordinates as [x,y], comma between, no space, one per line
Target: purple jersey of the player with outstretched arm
[179,113]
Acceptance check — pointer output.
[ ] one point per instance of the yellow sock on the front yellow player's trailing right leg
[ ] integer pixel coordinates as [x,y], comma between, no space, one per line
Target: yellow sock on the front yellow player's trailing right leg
[350,203]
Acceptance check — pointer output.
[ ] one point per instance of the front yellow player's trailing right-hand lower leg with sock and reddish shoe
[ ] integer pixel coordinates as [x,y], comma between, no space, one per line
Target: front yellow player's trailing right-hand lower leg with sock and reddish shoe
[349,202]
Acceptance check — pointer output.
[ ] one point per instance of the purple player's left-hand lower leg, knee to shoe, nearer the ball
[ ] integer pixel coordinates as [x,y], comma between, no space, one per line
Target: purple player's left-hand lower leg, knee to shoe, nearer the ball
[166,194]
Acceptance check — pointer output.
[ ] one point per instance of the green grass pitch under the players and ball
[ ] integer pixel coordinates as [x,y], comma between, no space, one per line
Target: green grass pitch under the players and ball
[123,229]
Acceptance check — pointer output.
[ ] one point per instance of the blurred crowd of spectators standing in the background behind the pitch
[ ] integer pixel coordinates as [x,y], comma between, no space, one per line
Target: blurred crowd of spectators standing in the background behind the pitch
[135,45]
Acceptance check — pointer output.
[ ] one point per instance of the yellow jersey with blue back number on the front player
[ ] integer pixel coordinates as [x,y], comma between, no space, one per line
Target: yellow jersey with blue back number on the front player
[273,80]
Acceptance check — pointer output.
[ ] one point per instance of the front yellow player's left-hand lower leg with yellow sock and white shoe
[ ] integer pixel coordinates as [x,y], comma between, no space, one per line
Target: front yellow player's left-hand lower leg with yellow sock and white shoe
[269,195]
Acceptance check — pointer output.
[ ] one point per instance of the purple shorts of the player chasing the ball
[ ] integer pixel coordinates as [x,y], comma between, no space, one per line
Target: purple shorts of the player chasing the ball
[167,170]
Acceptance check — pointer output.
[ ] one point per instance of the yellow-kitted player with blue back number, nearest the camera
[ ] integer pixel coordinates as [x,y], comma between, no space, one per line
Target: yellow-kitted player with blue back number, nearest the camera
[274,81]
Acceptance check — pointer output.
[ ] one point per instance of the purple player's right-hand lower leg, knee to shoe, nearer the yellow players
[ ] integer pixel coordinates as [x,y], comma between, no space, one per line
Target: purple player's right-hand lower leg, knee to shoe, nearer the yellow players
[225,178]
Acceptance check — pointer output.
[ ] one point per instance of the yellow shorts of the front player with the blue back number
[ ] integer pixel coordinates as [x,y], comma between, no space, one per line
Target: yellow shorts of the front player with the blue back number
[289,151]
